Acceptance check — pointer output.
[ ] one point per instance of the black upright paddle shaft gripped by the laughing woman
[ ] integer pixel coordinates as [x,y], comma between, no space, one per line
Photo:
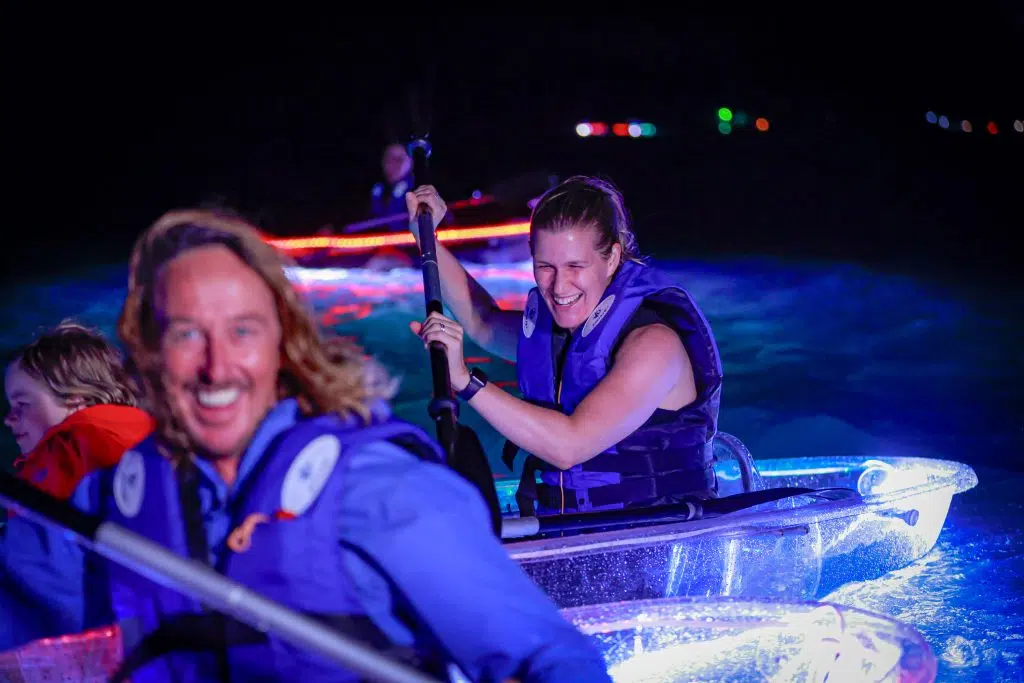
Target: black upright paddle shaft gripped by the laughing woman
[444,408]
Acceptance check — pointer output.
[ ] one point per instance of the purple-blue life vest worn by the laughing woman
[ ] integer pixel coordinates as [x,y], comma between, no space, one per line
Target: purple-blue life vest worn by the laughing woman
[671,454]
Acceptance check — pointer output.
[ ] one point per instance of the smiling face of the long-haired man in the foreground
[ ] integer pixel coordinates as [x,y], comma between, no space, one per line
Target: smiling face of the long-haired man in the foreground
[220,341]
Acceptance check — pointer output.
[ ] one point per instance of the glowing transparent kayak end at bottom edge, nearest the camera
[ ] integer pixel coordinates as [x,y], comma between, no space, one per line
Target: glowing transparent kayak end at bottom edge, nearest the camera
[724,639]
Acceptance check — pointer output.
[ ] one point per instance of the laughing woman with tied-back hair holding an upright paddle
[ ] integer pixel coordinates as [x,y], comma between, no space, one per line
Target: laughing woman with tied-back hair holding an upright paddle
[619,370]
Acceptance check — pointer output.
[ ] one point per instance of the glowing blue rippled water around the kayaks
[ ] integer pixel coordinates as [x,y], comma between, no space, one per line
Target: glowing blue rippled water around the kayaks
[820,360]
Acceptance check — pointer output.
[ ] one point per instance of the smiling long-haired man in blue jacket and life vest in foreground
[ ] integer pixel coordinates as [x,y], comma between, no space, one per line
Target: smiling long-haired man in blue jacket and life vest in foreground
[276,462]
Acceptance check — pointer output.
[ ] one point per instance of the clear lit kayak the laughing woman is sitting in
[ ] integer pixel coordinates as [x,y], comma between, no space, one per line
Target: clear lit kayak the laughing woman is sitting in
[868,517]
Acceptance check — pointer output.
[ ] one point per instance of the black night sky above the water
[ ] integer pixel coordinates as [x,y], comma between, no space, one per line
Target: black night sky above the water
[114,119]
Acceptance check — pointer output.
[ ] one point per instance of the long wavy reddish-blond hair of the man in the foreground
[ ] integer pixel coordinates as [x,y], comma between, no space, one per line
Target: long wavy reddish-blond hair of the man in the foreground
[324,375]
